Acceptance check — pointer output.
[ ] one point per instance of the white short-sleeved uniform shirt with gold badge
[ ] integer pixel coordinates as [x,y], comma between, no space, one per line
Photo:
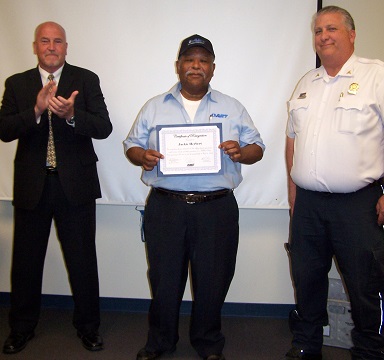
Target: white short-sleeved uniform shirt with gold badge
[338,127]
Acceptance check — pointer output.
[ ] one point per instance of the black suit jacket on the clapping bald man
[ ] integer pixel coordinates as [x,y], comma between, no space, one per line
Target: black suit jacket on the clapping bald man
[75,155]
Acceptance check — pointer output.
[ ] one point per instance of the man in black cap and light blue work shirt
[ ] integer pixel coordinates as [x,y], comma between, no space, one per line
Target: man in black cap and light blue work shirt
[191,218]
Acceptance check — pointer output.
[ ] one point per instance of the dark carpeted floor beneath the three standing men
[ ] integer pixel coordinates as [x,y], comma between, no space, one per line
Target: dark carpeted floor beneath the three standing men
[125,333]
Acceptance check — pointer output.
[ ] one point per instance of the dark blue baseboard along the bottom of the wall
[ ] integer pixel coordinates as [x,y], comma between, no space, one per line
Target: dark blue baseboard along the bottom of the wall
[142,305]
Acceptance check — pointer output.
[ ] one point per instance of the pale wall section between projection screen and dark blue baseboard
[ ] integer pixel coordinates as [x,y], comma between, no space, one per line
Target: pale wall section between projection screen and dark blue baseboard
[262,274]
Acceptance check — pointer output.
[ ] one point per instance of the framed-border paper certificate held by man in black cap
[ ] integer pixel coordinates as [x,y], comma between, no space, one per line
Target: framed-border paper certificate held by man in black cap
[189,149]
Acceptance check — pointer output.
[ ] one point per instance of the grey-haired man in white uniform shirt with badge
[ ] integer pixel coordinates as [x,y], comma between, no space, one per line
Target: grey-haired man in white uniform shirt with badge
[335,159]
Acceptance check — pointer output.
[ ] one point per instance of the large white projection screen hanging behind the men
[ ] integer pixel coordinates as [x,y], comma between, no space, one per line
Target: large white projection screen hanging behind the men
[262,49]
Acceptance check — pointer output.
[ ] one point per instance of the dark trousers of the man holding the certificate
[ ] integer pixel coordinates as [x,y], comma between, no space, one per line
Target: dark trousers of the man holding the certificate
[206,236]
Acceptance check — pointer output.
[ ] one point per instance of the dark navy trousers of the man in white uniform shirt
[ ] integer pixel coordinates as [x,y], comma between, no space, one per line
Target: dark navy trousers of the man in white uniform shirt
[344,225]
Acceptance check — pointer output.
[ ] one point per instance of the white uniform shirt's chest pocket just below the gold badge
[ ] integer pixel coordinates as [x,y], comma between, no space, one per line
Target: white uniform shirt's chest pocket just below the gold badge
[347,114]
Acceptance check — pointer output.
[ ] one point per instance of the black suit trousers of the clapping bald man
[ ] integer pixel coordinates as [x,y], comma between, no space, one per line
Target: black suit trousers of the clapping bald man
[76,232]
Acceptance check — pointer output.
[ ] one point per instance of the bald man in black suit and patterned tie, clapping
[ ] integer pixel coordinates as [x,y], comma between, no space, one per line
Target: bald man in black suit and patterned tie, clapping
[61,104]
